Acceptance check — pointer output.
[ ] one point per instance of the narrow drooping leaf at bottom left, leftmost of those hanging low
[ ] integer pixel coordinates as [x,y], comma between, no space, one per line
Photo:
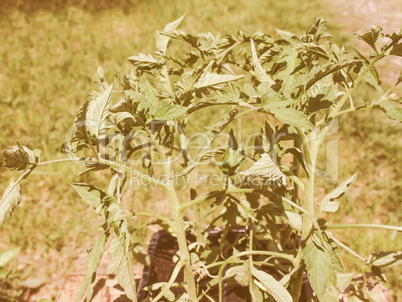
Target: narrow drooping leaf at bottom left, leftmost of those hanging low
[95,256]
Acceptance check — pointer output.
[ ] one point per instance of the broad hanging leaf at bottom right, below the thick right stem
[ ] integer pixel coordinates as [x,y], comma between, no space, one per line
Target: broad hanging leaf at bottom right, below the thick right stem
[321,274]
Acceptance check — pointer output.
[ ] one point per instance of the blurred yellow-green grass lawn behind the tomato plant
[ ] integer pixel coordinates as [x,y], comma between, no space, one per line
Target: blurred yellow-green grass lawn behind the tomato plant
[48,57]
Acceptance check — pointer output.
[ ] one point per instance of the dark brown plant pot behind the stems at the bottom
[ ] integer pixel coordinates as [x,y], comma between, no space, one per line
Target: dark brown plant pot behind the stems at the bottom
[163,247]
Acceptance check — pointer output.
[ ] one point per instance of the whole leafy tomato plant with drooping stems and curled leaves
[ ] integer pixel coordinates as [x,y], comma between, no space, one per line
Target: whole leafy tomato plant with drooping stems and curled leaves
[150,126]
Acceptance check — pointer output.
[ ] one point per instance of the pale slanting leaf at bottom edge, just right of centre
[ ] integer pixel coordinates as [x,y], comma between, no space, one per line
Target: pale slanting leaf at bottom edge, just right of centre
[271,286]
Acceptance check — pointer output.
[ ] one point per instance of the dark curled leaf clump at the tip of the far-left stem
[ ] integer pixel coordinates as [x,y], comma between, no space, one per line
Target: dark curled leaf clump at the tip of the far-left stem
[19,158]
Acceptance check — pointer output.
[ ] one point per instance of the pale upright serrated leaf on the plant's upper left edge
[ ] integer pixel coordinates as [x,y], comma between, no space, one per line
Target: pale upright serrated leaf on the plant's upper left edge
[97,112]
